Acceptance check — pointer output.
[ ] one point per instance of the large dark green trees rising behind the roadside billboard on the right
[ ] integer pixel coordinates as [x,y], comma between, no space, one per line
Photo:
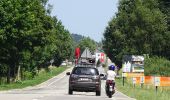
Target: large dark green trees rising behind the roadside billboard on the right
[139,27]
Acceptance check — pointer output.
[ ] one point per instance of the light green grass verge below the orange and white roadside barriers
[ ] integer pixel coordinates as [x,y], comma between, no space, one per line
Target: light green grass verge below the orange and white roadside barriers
[145,93]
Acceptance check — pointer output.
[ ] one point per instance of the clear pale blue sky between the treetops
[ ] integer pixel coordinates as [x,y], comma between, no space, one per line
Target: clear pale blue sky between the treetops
[85,17]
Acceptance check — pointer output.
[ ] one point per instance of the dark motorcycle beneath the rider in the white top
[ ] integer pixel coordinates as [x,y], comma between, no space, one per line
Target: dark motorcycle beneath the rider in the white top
[110,90]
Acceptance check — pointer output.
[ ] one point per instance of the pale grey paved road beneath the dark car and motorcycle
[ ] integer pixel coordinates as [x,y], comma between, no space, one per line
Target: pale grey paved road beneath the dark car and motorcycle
[56,89]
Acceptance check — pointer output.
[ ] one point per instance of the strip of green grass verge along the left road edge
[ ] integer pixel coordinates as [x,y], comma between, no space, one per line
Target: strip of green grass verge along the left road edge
[41,77]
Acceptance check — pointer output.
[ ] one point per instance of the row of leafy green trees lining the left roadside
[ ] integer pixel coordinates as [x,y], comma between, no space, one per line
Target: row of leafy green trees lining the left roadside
[30,38]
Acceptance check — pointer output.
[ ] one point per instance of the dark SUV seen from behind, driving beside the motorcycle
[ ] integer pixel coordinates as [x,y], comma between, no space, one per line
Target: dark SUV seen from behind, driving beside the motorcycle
[84,79]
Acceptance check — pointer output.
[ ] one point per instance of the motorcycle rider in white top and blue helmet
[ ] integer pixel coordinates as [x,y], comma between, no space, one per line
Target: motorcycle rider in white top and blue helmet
[110,76]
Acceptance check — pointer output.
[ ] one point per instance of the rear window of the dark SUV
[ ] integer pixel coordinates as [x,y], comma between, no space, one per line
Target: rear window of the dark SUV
[85,71]
